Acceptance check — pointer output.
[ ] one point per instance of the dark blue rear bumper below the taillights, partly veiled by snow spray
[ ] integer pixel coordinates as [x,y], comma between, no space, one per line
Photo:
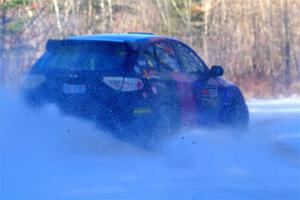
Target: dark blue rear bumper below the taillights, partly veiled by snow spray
[120,108]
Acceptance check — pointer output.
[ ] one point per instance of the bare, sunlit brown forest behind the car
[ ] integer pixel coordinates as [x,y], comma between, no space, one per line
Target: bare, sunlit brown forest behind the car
[257,41]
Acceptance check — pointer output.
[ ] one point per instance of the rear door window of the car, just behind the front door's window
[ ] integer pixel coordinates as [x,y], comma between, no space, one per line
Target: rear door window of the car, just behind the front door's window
[167,58]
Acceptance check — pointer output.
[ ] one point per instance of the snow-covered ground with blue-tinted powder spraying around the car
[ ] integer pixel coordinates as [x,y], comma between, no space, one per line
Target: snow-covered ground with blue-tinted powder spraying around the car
[45,155]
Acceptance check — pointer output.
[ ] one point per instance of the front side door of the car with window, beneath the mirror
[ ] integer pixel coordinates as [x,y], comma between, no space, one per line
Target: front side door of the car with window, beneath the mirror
[201,94]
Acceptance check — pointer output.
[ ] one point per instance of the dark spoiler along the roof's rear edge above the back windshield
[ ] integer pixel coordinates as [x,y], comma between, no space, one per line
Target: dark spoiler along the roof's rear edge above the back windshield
[53,44]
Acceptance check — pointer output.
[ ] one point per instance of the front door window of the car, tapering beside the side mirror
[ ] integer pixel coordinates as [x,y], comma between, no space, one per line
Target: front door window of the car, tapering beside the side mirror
[190,61]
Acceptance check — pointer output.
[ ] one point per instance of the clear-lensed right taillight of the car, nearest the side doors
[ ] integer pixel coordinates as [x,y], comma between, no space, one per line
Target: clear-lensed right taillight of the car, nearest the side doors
[124,84]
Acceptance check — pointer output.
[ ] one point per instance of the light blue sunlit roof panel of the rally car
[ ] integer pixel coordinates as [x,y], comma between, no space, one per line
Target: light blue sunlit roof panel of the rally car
[115,37]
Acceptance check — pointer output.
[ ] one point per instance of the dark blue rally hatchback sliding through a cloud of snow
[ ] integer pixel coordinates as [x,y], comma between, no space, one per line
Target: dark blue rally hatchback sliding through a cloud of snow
[136,81]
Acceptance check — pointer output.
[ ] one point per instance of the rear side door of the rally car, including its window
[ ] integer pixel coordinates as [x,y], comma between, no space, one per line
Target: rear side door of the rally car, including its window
[161,63]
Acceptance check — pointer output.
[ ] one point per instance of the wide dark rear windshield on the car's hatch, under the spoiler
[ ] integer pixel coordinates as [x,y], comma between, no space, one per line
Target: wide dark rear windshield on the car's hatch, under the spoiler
[85,56]
